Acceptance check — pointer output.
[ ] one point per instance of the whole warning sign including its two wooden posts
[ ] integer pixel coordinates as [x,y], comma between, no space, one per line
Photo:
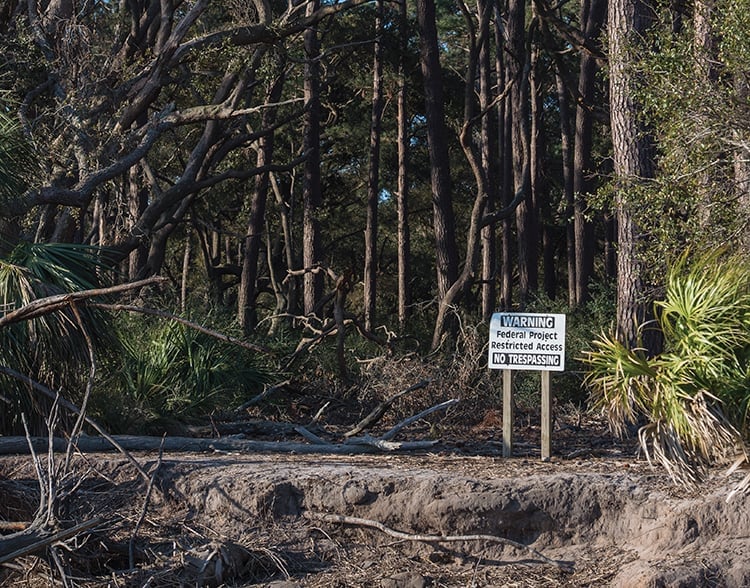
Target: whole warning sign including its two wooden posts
[527,342]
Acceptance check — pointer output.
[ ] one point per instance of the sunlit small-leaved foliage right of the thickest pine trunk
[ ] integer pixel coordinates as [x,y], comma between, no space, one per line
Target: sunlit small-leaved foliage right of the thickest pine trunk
[694,99]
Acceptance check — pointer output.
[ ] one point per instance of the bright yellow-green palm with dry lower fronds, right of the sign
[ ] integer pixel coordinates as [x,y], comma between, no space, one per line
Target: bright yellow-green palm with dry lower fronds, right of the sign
[692,399]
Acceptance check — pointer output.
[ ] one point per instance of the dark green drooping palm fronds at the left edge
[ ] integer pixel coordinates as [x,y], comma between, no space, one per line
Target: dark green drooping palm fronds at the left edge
[51,348]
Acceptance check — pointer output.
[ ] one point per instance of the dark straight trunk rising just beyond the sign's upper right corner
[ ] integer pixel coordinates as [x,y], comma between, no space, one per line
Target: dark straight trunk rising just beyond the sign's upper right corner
[593,16]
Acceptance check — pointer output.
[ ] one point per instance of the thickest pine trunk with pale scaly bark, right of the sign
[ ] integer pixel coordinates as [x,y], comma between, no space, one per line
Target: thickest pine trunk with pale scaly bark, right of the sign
[632,151]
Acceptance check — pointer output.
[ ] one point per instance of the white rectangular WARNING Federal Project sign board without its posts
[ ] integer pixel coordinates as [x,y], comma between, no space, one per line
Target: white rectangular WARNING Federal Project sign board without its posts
[520,341]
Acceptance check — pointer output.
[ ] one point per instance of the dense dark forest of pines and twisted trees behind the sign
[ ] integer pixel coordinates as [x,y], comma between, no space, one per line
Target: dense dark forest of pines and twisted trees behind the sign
[332,183]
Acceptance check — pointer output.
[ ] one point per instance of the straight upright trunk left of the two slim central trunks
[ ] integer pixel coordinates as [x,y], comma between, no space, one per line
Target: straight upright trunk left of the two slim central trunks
[311,191]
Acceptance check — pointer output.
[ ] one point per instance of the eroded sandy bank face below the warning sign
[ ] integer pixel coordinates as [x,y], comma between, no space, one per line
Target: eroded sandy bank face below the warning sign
[604,523]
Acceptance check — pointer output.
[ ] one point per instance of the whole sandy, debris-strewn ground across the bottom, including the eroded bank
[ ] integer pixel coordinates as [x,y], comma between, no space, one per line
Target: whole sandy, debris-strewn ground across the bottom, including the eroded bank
[457,514]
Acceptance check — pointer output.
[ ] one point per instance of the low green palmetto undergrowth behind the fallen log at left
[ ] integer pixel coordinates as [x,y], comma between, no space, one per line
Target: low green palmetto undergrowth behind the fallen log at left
[170,372]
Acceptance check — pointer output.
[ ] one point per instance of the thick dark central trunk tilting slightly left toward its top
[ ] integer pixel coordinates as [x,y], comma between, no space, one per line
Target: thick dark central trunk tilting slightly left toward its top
[442,204]
